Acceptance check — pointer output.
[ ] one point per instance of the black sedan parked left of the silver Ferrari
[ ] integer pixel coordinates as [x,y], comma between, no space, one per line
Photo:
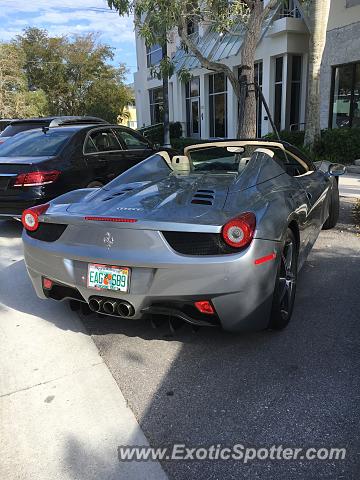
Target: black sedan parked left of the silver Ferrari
[39,165]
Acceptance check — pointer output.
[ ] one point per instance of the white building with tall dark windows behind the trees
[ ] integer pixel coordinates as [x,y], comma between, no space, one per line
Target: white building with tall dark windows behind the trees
[206,106]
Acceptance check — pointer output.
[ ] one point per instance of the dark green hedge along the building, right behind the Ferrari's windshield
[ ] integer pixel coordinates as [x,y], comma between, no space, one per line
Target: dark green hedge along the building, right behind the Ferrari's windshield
[338,145]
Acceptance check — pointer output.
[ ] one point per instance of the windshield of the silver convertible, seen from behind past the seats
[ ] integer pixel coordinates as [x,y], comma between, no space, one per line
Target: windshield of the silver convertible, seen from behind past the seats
[221,159]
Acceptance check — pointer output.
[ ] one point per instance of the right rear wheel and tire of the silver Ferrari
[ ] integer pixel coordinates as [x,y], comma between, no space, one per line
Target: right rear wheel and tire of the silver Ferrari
[285,285]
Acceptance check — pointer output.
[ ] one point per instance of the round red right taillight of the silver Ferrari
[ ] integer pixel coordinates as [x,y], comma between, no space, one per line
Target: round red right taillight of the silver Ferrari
[239,231]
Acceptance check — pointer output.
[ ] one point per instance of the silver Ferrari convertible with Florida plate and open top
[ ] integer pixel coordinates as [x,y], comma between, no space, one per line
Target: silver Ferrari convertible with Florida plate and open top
[215,237]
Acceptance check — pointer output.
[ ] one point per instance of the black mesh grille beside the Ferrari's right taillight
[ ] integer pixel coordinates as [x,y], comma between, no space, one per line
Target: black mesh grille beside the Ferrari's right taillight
[190,243]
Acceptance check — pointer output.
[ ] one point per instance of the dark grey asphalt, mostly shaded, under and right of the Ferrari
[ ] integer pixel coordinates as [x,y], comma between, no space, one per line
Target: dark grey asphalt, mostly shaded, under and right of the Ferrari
[298,388]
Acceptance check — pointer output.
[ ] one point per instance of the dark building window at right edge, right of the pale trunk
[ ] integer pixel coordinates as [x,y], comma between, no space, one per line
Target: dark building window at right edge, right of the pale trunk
[345,93]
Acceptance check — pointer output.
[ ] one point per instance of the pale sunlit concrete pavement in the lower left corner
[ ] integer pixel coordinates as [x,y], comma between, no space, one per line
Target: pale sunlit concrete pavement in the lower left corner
[62,414]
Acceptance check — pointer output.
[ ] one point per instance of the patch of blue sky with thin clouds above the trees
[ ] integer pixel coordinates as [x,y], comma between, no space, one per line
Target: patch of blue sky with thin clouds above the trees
[60,17]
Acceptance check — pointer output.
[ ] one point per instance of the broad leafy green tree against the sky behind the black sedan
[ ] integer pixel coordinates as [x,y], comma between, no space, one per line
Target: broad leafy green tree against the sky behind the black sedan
[74,73]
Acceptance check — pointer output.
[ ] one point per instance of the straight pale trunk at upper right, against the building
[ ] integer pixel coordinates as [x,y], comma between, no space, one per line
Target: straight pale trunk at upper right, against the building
[319,15]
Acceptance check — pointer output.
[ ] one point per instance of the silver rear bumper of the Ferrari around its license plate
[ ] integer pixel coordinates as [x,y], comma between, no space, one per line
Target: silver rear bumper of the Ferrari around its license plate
[240,291]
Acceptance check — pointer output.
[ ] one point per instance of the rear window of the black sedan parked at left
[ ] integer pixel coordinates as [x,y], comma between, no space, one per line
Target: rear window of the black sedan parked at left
[37,143]
